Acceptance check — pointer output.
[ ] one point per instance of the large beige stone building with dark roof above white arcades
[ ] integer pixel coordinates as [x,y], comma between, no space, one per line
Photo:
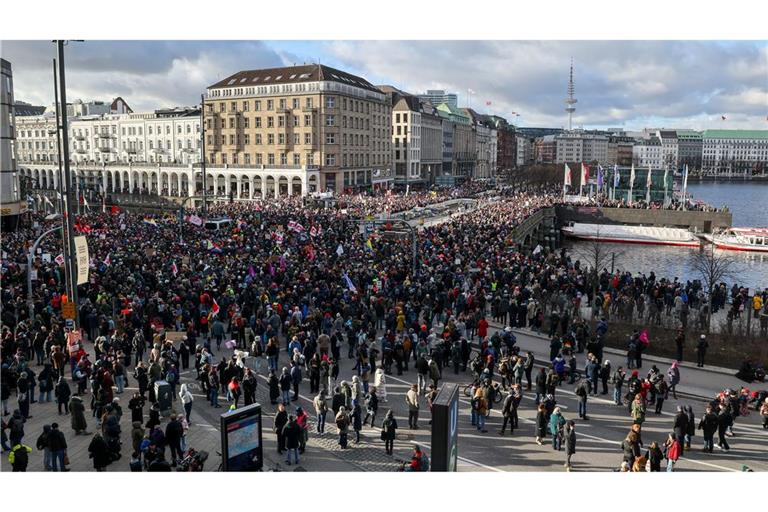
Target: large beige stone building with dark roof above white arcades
[301,118]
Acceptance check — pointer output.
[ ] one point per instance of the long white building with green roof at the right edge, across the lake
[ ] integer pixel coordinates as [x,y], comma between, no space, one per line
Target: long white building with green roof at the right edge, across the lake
[735,151]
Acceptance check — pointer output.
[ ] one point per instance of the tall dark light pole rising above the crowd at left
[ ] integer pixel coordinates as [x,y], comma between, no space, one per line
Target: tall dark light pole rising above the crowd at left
[69,242]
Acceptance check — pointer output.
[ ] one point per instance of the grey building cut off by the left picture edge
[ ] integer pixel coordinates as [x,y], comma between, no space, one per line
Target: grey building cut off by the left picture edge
[12,202]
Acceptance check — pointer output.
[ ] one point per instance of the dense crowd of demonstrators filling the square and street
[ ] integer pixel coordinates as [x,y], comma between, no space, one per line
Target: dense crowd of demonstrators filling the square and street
[299,289]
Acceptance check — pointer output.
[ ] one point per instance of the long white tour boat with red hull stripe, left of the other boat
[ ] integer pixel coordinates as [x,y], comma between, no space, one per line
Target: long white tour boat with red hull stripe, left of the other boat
[649,235]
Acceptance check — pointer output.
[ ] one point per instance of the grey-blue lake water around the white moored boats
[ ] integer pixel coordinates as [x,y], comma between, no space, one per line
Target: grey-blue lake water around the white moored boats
[748,203]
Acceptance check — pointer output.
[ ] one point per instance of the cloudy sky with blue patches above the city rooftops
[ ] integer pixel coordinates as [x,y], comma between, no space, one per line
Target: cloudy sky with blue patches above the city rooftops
[618,83]
